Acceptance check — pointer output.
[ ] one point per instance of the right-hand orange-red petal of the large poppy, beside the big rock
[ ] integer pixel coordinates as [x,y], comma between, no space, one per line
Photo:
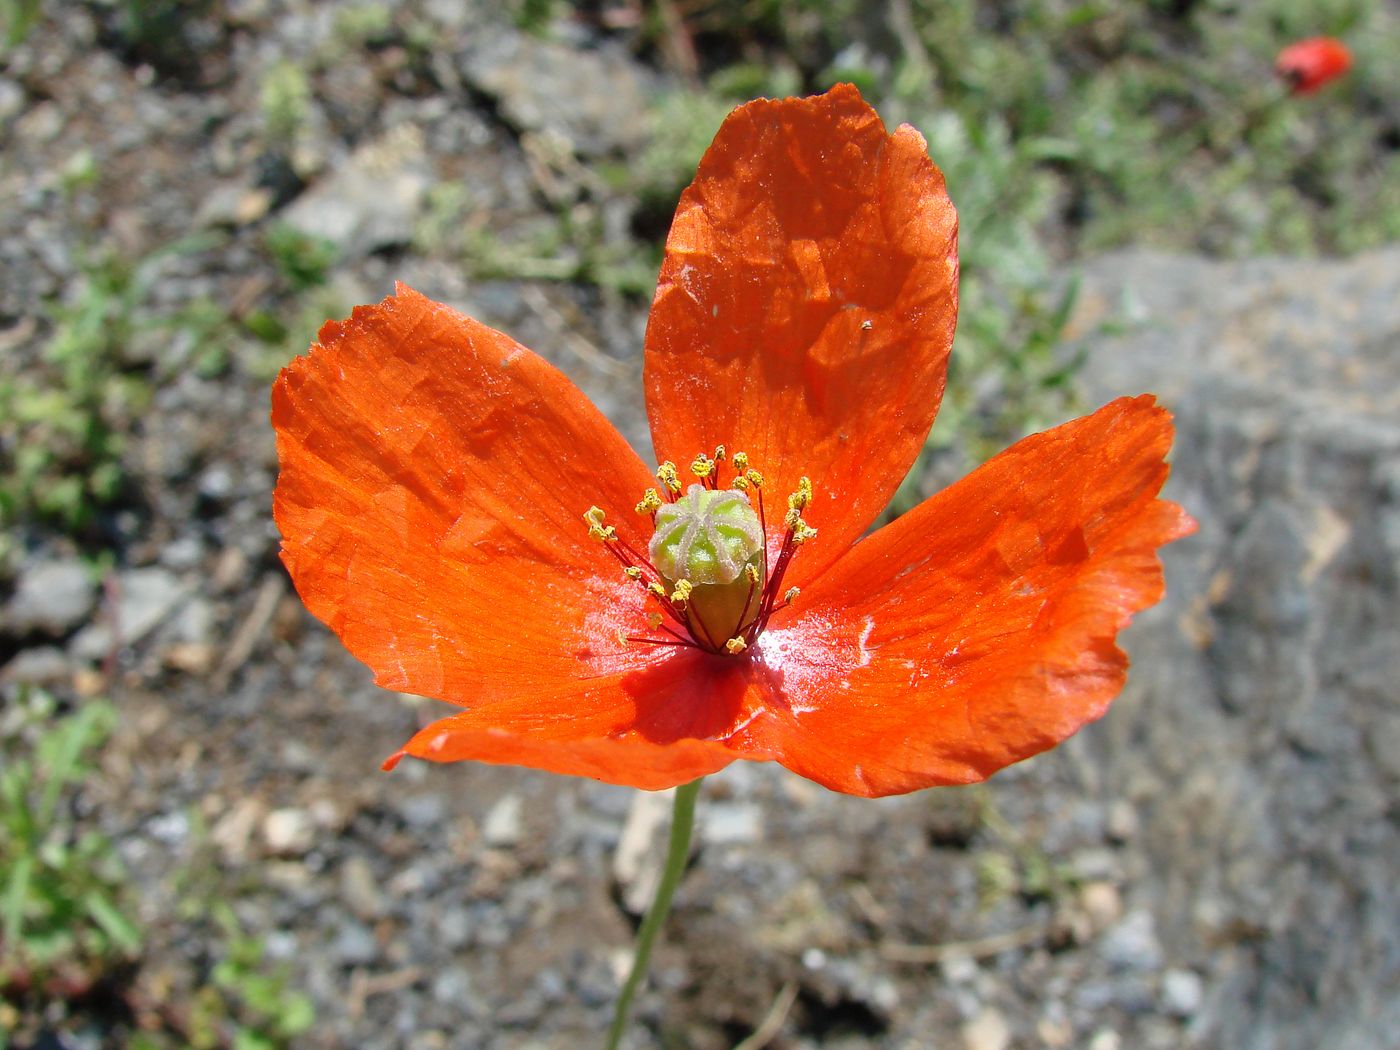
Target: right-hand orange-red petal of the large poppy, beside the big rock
[979,629]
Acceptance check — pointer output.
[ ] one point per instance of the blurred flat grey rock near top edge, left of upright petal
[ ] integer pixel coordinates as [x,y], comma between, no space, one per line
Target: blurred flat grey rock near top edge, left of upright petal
[597,101]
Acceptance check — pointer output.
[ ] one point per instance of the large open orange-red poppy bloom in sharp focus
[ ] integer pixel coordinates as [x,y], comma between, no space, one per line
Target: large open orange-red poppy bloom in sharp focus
[456,510]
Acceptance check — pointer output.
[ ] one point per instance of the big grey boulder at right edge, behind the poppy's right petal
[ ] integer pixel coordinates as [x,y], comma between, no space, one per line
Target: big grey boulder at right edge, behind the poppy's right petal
[1258,736]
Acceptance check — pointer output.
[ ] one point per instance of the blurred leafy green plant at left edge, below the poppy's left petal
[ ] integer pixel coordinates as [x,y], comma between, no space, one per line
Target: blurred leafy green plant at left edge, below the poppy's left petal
[64,919]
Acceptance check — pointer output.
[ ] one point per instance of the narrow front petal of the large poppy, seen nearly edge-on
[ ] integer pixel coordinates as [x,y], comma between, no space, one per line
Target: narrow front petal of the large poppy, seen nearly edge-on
[631,761]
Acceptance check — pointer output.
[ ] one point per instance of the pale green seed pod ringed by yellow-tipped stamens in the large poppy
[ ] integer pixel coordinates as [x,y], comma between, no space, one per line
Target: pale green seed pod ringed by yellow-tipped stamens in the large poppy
[708,563]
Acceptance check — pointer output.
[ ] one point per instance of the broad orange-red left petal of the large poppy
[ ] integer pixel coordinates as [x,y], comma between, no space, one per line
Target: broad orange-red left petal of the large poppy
[435,475]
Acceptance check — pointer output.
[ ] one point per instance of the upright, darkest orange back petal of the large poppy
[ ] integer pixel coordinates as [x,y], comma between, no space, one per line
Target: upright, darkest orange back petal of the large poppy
[806,309]
